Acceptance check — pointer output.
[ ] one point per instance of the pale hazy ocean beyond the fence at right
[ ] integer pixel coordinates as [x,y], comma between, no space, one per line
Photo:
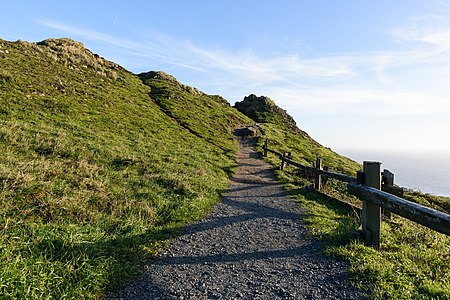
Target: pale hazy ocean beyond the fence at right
[428,173]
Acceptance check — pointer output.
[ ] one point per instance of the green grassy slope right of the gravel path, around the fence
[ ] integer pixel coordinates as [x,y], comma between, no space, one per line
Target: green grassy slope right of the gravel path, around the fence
[413,262]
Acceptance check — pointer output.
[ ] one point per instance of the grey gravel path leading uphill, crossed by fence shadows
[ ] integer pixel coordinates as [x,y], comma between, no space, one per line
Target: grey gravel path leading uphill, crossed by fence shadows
[251,246]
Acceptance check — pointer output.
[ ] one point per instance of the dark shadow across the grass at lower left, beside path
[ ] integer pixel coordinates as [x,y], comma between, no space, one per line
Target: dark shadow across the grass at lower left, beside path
[116,258]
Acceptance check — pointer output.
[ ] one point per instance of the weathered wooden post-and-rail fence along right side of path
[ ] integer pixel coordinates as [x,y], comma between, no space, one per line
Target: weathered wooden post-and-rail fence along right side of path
[375,189]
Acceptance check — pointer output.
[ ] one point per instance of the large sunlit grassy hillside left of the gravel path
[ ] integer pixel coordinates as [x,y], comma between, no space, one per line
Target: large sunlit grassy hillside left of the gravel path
[94,176]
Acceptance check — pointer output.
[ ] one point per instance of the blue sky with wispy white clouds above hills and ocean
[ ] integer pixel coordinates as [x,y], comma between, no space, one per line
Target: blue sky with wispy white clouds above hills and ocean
[354,74]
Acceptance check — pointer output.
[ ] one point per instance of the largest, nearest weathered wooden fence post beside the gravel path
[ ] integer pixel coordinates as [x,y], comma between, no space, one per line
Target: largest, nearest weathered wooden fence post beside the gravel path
[371,213]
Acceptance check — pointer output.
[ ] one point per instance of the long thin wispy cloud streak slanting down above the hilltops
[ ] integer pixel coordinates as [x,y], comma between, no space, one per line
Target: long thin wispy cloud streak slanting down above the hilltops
[247,63]
